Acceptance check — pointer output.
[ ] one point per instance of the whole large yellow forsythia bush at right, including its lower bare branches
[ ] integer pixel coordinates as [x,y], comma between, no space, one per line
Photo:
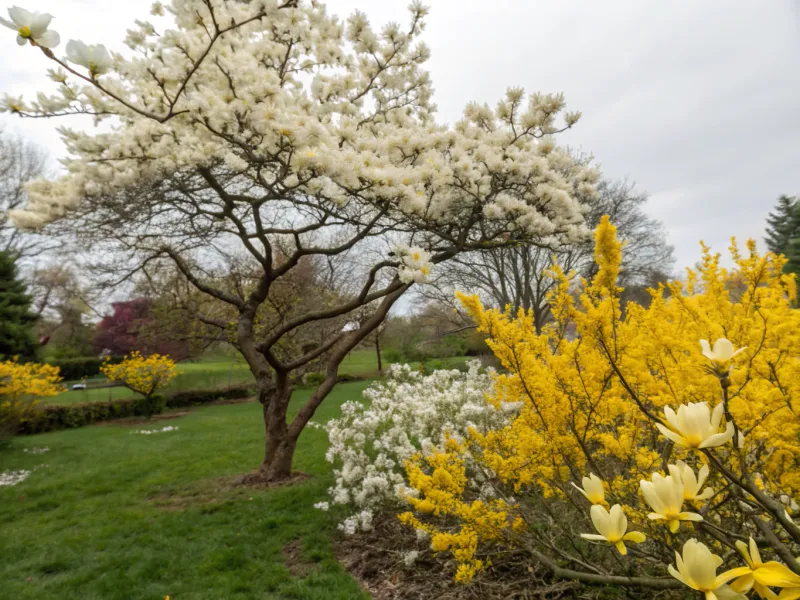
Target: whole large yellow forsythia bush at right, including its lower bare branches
[666,434]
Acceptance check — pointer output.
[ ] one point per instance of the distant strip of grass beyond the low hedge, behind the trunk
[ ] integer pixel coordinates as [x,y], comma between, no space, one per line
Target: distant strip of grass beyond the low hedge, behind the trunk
[222,371]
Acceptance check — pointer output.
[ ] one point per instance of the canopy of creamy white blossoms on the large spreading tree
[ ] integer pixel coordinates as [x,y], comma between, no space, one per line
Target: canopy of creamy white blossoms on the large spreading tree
[342,114]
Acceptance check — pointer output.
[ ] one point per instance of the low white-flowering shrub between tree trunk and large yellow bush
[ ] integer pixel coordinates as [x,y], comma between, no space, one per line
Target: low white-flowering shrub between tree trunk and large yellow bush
[404,414]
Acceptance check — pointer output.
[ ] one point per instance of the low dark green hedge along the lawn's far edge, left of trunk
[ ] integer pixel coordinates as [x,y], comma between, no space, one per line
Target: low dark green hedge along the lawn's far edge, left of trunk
[68,416]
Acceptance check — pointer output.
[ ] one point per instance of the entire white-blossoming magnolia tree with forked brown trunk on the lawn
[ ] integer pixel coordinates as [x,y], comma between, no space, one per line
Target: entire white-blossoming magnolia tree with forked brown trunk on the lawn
[243,125]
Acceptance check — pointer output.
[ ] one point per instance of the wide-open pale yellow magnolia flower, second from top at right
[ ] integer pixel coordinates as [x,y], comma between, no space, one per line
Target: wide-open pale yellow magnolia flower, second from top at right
[695,426]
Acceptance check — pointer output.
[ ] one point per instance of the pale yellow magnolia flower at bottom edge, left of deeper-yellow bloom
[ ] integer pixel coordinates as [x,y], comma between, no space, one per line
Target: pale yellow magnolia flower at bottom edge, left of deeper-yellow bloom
[697,568]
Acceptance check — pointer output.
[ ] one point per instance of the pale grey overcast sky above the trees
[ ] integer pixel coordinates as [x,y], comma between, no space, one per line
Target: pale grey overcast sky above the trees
[698,102]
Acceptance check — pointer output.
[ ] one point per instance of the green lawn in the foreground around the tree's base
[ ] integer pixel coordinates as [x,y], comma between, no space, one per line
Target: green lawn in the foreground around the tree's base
[113,515]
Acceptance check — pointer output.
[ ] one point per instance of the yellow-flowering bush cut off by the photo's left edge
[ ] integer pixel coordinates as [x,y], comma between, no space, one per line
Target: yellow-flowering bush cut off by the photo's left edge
[20,385]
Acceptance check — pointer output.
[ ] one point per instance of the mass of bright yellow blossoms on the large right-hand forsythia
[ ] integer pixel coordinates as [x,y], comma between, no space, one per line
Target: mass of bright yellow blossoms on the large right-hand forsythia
[593,384]
